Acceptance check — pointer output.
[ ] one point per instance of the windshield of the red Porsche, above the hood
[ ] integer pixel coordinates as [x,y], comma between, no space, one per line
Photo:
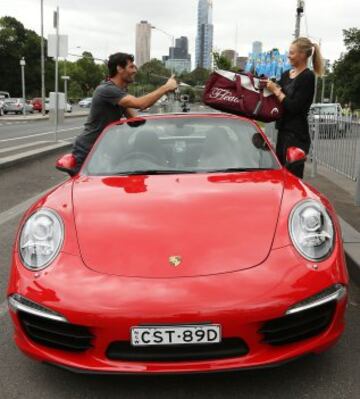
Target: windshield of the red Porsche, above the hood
[180,145]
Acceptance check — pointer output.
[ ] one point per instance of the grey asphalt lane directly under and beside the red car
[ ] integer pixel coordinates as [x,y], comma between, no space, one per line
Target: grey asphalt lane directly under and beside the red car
[334,374]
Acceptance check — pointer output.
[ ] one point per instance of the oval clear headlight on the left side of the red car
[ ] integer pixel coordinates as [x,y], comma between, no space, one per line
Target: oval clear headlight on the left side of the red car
[41,239]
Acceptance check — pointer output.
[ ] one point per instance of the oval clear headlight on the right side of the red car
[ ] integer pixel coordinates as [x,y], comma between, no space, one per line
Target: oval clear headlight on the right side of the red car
[312,230]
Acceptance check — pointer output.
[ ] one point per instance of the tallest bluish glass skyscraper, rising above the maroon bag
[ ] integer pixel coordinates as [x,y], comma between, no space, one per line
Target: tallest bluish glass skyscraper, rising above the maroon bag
[205,33]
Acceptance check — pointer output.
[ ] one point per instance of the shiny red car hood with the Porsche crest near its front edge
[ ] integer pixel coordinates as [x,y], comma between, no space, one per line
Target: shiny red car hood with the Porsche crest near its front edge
[176,225]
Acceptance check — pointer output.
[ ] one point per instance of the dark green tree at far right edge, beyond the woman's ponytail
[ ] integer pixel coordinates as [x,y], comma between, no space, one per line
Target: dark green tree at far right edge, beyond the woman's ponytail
[347,70]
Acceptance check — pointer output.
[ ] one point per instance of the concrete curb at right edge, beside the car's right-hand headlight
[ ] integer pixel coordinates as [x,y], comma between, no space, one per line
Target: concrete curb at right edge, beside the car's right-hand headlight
[351,239]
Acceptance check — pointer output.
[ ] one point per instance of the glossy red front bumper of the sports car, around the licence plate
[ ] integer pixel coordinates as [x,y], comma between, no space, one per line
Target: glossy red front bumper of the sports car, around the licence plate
[241,302]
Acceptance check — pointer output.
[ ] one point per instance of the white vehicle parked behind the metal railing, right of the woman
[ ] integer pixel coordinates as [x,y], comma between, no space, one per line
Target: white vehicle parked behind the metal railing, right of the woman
[330,118]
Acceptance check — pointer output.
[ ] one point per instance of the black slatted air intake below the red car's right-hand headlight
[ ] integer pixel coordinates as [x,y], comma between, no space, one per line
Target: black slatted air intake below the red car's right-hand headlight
[298,326]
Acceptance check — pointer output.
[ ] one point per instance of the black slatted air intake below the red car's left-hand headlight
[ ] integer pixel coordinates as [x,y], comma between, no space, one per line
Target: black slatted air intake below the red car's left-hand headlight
[56,334]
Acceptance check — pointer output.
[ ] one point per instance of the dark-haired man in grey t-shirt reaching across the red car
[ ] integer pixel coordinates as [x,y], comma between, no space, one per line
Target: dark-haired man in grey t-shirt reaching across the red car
[111,102]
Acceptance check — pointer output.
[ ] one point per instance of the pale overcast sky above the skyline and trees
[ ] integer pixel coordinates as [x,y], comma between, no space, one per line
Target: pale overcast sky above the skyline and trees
[108,26]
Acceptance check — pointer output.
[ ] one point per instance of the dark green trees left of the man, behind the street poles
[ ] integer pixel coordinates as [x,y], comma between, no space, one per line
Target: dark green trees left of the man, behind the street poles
[17,42]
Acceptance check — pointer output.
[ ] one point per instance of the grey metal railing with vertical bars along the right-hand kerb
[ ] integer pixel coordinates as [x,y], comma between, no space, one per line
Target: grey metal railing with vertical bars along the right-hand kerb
[335,145]
